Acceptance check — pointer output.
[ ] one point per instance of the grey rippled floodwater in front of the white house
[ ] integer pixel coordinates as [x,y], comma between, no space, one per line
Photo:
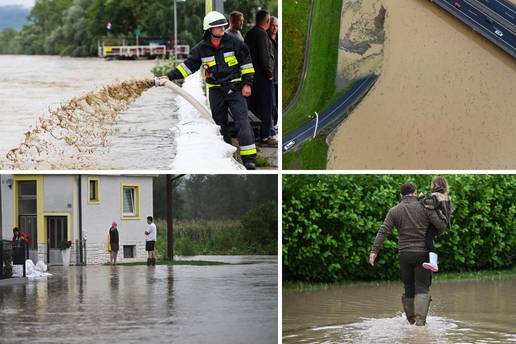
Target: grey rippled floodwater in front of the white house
[130,304]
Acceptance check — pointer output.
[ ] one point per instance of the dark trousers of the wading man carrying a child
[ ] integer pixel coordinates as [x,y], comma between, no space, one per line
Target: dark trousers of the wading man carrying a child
[415,278]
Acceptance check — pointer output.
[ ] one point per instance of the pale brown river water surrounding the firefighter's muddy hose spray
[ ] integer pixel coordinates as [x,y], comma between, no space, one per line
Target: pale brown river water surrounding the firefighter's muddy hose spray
[30,85]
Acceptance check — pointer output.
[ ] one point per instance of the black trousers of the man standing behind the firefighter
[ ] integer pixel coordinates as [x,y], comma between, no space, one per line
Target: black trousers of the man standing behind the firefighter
[261,103]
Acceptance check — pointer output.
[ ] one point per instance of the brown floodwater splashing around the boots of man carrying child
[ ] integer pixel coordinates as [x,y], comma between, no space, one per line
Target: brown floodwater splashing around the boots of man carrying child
[461,312]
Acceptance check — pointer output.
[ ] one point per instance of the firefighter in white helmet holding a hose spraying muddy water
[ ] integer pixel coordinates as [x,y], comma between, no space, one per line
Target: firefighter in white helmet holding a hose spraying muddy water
[229,72]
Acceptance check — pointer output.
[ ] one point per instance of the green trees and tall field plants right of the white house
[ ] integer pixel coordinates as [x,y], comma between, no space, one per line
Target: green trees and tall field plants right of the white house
[219,214]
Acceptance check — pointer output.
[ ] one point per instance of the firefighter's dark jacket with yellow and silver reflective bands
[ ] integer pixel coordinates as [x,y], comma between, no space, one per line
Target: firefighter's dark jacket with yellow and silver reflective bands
[229,63]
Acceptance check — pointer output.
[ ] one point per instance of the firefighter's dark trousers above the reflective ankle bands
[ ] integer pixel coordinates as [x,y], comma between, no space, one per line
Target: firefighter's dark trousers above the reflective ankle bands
[230,97]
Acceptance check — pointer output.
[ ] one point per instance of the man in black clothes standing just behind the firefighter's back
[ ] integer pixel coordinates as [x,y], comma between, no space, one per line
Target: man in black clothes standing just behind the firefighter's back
[262,100]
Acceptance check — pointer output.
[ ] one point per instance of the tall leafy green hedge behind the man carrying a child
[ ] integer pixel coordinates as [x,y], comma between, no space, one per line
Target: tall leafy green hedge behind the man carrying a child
[330,222]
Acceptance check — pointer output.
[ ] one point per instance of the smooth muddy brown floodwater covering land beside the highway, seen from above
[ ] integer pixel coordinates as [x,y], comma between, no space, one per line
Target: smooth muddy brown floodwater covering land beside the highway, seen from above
[444,100]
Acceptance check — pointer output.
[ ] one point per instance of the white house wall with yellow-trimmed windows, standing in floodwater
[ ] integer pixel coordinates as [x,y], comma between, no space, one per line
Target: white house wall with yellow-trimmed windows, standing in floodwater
[60,197]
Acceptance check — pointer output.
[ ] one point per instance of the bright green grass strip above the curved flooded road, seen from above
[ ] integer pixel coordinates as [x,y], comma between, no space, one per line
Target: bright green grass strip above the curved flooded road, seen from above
[319,88]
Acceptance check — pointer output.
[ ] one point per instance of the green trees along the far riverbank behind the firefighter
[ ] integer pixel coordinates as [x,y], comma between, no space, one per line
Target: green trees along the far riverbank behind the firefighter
[73,27]
